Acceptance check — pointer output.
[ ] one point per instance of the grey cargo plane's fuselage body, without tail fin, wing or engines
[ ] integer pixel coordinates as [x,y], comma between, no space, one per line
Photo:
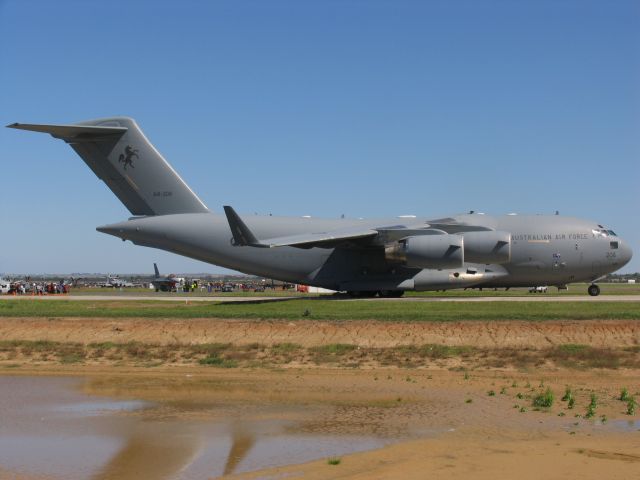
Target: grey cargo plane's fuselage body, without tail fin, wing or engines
[545,250]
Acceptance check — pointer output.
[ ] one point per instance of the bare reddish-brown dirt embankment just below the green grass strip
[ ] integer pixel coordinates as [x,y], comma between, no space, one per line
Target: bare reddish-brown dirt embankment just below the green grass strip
[376,334]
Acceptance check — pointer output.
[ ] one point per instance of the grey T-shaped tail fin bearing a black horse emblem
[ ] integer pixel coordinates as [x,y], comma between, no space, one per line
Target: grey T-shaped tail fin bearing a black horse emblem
[119,154]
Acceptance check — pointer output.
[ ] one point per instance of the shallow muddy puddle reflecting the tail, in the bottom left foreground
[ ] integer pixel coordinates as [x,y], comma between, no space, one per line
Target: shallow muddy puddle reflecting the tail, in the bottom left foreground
[79,427]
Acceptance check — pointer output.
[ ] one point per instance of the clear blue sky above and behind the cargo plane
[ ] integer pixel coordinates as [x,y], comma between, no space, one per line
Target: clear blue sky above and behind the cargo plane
[362,108]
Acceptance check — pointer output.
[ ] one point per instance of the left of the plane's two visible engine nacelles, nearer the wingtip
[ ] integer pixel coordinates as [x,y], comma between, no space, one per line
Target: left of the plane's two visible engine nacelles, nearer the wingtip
[428,251]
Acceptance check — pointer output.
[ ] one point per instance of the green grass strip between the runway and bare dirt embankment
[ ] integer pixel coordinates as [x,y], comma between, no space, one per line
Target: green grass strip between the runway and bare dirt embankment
[328,310]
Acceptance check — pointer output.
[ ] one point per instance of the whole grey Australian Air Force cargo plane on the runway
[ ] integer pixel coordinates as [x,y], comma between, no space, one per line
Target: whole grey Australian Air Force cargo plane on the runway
[382,257]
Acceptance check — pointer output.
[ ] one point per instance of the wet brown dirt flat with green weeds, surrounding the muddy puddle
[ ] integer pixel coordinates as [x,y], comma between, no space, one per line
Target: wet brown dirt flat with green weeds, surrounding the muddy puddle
[485,439]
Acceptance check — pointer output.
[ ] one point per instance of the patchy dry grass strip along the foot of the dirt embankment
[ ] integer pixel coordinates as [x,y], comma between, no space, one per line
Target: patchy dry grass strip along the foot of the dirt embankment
[227,355]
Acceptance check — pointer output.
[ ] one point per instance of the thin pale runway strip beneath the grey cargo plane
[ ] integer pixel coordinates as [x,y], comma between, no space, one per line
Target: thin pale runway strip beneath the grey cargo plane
[257,299]
